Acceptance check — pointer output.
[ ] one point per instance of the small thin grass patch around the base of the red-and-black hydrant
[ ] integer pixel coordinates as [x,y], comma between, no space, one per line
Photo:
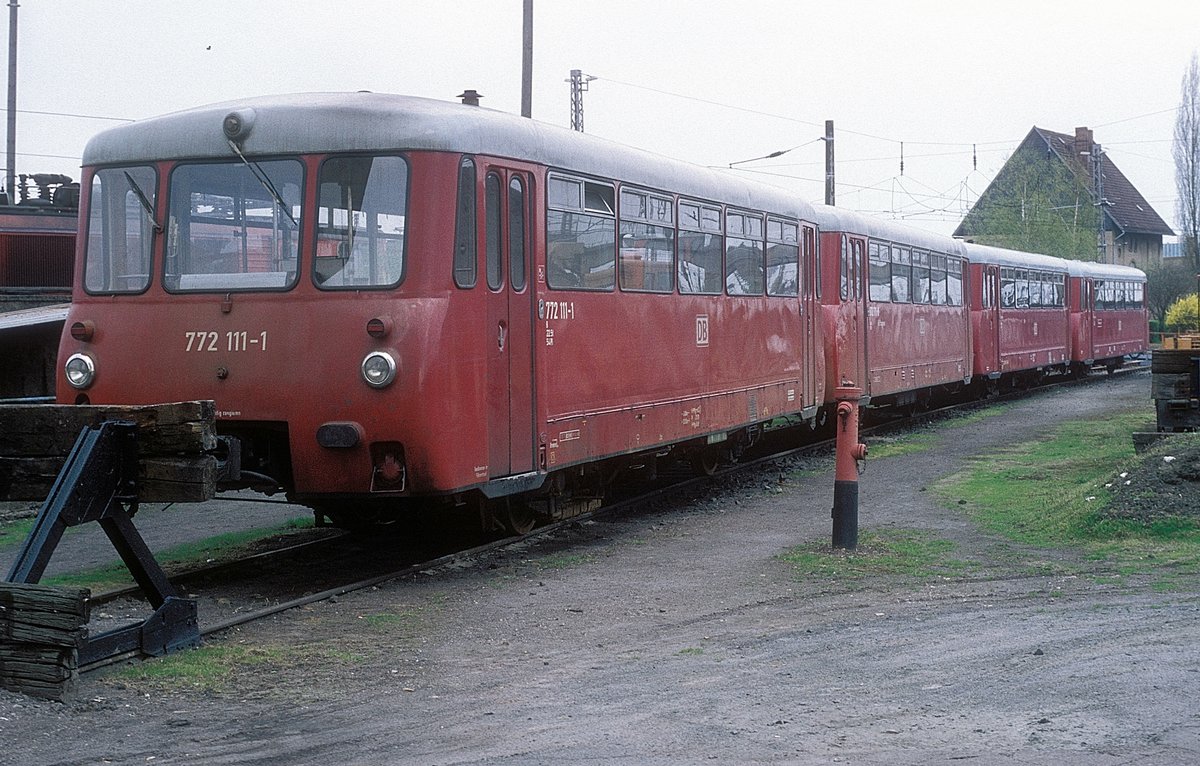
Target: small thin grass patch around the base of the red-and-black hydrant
[916,554]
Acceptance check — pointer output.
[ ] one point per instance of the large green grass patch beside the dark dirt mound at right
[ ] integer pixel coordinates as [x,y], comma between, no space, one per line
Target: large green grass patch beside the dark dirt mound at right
[1051,494]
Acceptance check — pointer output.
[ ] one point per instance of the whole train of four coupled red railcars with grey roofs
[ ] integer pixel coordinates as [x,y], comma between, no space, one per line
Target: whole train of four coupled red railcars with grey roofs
[403,304]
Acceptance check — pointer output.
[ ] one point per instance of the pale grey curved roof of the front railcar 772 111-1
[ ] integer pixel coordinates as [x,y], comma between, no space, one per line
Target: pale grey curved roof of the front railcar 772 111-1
[368,122]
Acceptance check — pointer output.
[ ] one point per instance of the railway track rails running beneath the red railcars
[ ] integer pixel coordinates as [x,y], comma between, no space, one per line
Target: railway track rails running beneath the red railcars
[421,560]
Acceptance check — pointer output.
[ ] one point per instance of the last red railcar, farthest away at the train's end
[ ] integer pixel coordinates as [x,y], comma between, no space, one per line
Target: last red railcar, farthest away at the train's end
[1109,320]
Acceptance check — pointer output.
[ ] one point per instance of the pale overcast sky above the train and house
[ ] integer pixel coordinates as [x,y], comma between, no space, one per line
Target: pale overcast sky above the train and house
[951,87]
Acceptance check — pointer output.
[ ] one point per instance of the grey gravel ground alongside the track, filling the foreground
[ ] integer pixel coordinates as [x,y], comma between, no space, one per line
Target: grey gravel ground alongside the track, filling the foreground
[681,638]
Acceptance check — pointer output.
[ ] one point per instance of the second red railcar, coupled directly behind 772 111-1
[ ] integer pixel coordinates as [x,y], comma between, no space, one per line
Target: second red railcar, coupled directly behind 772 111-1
[896,314]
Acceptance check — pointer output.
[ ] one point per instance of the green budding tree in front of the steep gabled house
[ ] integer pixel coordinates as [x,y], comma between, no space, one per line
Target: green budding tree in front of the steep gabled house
[1039,206]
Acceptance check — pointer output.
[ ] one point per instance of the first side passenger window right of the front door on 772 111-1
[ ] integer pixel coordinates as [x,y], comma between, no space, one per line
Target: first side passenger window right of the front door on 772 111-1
[581,235]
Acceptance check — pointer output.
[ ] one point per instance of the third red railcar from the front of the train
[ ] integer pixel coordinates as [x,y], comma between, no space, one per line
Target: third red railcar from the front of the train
[1019,319]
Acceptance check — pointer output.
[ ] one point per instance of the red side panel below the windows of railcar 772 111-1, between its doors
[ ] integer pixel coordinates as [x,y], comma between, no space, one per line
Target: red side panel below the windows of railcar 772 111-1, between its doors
[623,373]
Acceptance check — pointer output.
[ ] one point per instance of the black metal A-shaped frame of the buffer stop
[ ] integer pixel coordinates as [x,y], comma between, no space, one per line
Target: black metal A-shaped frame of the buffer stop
[99,483]
